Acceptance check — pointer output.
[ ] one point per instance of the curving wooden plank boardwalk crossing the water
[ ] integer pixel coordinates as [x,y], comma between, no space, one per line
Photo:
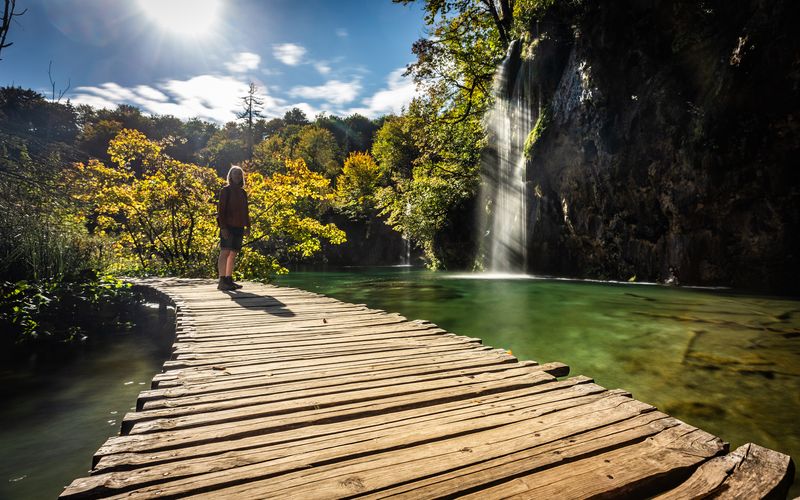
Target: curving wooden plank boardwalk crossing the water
[275,392]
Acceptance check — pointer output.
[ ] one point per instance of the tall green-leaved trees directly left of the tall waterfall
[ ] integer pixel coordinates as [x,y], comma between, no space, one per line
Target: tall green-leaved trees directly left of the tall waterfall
[443,128]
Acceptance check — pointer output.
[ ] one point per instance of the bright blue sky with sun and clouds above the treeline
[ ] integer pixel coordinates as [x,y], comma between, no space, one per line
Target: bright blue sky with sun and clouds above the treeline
[196,57]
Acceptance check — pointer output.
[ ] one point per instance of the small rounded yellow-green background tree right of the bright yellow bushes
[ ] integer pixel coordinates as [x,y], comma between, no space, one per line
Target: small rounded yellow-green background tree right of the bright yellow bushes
[357,185]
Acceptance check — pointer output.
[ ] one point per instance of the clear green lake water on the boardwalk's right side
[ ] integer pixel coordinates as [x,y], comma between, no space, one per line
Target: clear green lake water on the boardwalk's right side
[726,362]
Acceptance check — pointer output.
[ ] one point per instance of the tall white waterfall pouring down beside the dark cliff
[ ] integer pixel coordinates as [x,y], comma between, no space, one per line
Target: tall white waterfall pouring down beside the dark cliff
[504,166]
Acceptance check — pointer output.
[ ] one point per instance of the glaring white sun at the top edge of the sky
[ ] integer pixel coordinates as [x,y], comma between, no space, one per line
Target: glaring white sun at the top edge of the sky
[195,18]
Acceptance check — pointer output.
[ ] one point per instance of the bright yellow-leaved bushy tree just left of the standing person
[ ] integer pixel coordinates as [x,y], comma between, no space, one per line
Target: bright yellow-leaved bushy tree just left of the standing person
[159,212]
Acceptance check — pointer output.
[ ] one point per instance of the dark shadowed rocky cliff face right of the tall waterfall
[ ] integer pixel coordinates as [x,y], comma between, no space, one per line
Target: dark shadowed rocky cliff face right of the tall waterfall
[672,141]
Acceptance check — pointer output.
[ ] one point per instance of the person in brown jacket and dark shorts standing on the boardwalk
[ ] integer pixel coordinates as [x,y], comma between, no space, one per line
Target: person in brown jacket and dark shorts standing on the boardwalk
[233,218]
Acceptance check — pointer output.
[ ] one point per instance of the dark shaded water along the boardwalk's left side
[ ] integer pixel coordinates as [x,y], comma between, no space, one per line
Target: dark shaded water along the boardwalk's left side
[56,415]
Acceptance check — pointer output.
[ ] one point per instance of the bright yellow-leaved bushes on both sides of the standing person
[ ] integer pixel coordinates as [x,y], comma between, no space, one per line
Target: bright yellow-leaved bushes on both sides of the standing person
[161,213]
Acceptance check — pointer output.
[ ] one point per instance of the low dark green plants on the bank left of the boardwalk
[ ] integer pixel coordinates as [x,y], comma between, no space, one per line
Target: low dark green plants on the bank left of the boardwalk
[38,315]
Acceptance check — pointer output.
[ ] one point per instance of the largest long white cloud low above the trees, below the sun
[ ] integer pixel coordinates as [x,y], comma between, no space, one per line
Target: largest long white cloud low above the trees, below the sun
[210,97]
